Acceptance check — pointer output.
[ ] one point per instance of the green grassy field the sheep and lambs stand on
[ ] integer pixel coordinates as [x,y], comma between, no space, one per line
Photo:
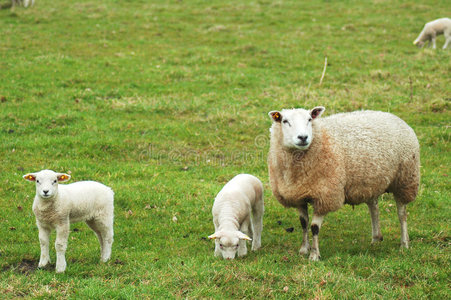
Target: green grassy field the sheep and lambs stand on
[165,101]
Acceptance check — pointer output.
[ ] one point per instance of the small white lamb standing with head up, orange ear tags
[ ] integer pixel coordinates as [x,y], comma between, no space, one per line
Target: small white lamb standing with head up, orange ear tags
[57,205]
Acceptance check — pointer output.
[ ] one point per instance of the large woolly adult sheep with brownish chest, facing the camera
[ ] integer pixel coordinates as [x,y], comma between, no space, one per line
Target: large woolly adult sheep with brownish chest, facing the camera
[347,158]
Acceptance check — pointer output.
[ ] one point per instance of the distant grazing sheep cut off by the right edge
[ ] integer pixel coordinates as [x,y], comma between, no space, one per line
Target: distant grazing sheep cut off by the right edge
[432,29]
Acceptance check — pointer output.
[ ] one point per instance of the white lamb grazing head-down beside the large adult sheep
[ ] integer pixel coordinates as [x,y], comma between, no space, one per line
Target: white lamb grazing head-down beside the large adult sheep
[237,213]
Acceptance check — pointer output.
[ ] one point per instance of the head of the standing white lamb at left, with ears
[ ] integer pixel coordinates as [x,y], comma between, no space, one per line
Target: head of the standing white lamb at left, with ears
[47,182]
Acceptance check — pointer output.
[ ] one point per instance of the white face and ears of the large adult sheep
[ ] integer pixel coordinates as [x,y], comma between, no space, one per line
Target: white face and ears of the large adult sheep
[296,126]
